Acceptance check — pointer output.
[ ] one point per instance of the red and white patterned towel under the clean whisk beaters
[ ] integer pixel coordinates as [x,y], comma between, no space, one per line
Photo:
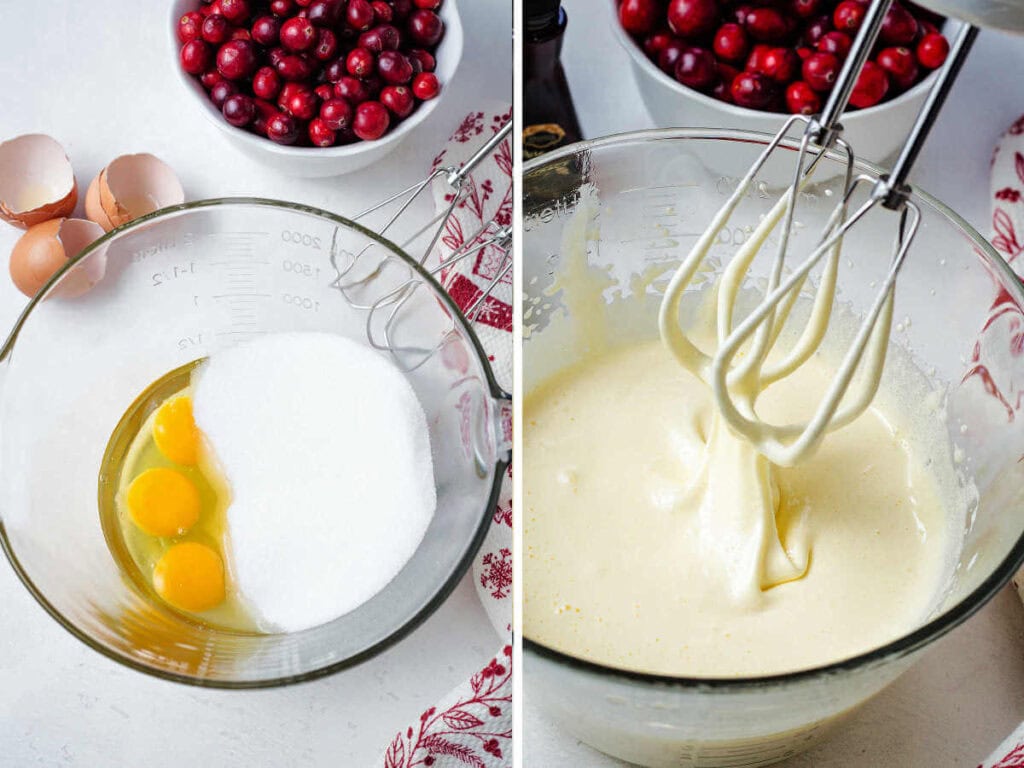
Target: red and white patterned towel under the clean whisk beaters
[473,727]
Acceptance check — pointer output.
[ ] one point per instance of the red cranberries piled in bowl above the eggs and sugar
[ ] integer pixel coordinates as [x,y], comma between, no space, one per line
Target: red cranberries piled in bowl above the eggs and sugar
[314,72]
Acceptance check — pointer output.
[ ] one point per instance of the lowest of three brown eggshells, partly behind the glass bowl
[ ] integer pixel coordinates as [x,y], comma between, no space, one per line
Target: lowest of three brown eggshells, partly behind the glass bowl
[46,248]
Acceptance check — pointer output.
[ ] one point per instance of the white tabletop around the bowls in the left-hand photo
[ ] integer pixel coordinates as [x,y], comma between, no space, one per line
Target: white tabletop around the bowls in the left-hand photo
[97,76]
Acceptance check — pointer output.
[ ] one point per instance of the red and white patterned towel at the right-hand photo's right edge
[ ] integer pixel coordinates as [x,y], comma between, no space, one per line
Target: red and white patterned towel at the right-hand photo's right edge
[1008,238]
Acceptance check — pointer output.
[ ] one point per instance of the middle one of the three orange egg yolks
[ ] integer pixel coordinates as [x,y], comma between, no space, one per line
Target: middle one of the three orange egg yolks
[163,502]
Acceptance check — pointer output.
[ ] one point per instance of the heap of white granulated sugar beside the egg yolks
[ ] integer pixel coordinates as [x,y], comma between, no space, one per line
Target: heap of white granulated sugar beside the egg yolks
[326,449]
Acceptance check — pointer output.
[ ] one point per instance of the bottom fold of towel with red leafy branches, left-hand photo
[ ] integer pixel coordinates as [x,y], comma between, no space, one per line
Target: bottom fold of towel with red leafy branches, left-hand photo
[472,731]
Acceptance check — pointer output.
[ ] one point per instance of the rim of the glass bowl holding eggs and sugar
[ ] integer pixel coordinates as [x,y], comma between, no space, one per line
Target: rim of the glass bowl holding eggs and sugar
[444,589]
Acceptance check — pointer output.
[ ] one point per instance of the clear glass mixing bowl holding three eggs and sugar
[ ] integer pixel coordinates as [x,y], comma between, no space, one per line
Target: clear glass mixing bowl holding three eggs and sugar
[172,288]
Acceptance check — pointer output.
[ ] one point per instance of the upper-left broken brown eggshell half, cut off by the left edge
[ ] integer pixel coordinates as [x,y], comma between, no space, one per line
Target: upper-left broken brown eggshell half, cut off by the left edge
[37,183]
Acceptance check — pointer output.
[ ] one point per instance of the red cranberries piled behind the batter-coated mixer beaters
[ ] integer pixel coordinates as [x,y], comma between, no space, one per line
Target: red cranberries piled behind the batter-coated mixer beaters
[783,56]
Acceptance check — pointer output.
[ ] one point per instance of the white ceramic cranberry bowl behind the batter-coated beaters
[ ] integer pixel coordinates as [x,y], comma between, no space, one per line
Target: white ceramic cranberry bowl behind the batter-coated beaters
[875,134]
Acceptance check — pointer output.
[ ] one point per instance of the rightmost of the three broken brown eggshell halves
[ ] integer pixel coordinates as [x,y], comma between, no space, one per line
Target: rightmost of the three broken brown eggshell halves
[134,186]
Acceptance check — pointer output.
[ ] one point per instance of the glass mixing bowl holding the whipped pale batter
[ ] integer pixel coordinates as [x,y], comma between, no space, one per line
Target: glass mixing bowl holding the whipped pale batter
[959,324]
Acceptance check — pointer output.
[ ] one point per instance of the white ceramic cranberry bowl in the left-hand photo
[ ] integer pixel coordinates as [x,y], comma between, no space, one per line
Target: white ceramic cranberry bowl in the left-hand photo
[313,162]
